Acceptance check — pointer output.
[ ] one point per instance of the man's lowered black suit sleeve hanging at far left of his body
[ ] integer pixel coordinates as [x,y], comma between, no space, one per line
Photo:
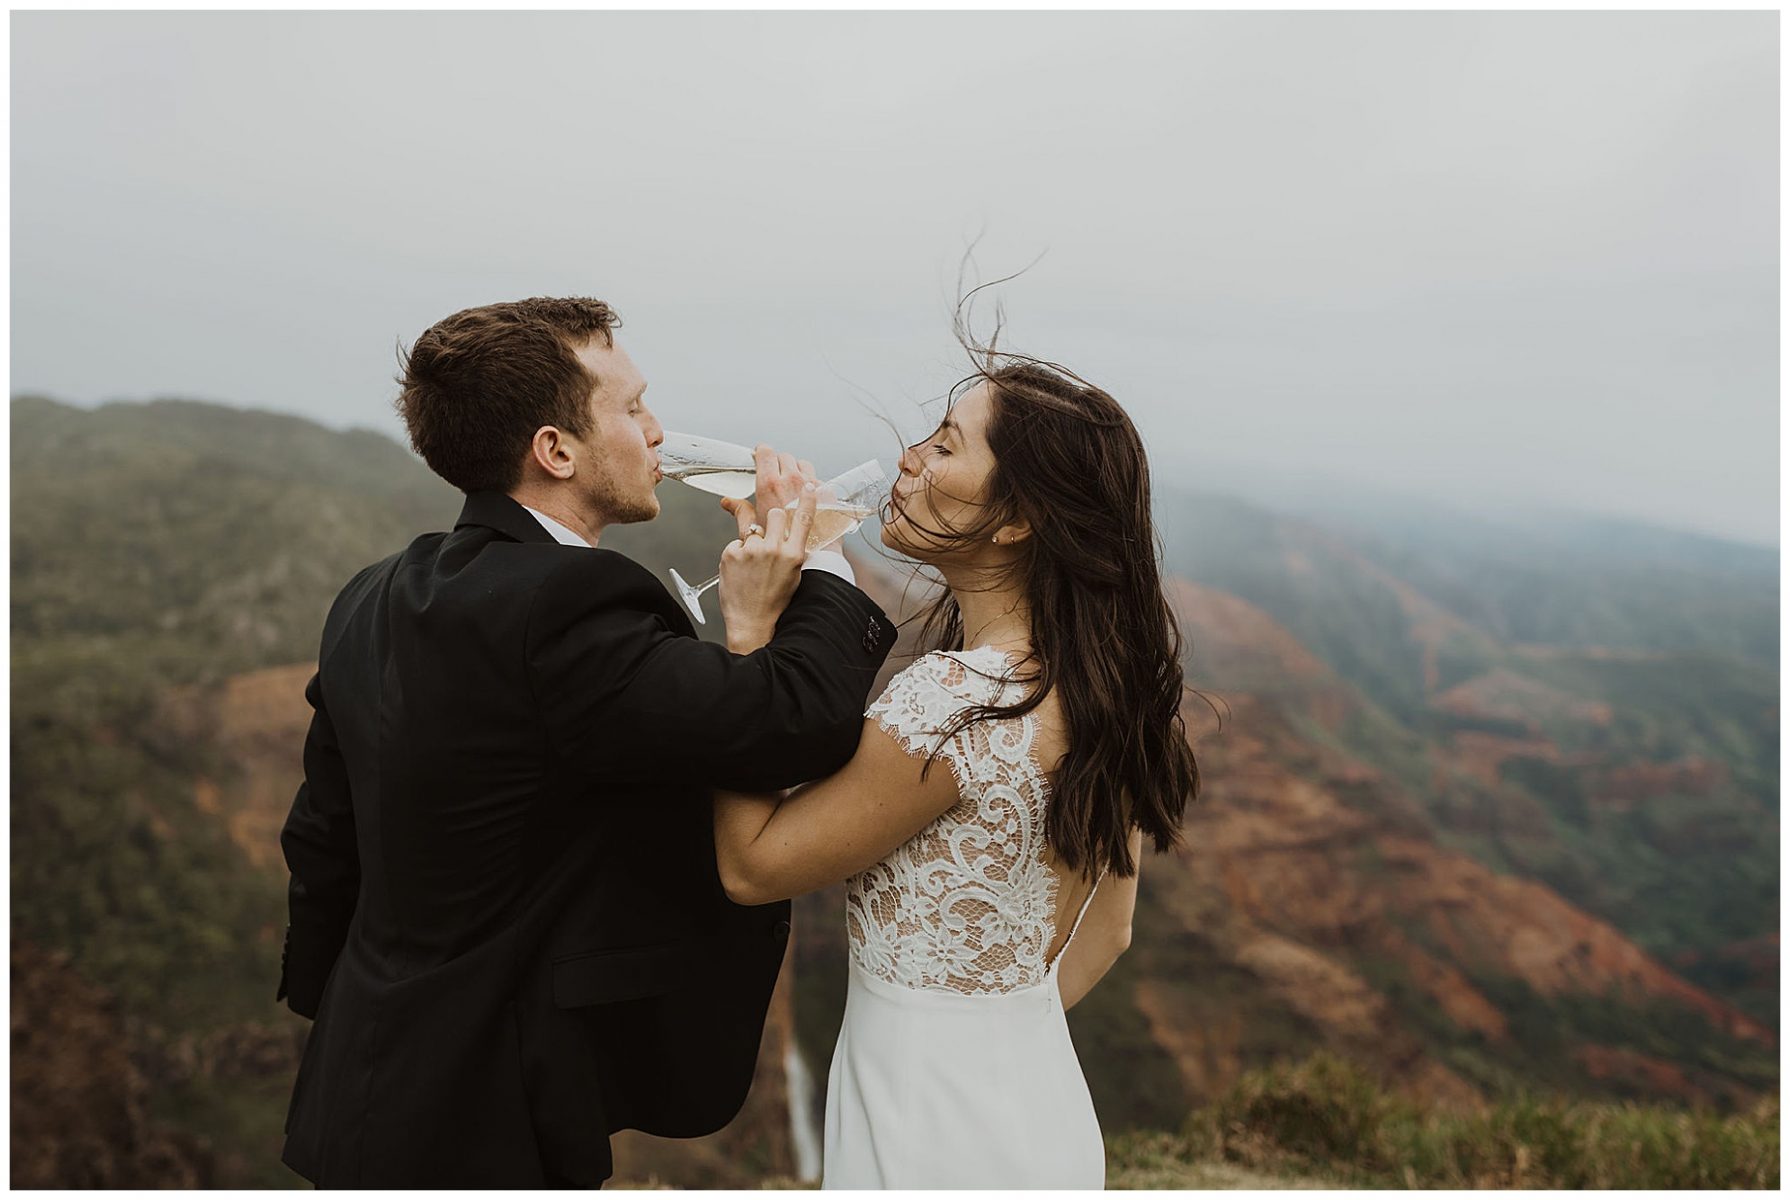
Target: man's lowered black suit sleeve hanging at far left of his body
[325,864]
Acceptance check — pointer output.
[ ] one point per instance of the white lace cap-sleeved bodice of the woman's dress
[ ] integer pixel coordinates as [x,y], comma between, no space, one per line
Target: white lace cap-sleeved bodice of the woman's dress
[969,904]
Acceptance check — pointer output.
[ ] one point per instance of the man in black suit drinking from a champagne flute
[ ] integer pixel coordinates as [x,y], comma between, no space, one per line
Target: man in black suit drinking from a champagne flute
[506,918]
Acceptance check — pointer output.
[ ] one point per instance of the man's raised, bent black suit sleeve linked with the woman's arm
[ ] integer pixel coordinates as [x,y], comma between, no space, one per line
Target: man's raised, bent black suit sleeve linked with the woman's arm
[629,699]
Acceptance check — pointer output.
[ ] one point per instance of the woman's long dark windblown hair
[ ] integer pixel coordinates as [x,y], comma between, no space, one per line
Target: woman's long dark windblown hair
[1104,637]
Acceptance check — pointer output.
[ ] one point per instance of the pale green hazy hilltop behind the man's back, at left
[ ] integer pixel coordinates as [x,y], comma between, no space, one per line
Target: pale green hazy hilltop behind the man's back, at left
[203,526]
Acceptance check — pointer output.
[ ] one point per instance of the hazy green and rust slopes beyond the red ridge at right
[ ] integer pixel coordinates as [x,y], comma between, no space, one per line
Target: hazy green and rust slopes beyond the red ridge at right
[1639,778]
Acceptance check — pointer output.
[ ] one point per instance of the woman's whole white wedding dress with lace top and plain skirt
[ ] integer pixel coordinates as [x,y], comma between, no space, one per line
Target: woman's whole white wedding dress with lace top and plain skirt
[955,1065]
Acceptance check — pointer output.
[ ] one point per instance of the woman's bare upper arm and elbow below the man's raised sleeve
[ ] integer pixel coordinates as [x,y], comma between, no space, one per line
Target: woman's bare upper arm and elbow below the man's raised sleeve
[772,848]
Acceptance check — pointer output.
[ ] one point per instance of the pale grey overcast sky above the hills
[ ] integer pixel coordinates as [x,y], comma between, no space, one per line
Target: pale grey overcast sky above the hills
[1469,255]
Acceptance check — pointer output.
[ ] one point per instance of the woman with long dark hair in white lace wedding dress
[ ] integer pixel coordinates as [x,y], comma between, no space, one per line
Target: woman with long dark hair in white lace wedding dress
[987,898]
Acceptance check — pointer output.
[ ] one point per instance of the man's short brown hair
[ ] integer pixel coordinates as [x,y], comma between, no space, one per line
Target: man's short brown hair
[479,384]
